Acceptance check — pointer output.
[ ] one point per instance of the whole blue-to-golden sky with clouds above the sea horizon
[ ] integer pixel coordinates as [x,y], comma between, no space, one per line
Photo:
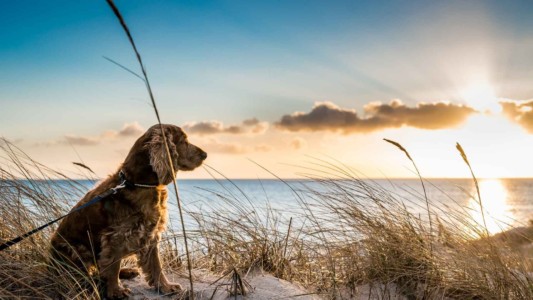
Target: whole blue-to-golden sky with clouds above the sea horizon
[277,85]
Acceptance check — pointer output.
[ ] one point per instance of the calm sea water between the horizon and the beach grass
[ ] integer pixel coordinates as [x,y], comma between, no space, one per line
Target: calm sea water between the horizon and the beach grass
[506,201]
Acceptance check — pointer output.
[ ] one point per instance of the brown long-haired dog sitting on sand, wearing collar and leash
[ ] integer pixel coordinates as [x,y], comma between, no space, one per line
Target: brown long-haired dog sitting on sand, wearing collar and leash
[131,221]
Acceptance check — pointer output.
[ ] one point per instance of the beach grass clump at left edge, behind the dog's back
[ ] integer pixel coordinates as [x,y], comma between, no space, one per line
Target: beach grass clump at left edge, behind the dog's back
[30,195]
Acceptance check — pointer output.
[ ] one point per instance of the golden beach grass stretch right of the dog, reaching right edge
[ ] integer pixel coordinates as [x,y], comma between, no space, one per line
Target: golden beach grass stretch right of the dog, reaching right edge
[360,235]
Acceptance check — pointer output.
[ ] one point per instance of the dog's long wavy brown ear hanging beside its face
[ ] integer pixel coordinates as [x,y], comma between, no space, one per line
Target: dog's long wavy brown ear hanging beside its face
[159,156]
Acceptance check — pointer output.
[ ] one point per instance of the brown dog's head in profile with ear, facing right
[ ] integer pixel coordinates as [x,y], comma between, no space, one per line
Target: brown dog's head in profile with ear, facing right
[150,150]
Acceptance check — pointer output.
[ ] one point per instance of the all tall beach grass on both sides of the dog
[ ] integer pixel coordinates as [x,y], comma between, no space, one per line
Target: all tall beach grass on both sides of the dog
[349,235]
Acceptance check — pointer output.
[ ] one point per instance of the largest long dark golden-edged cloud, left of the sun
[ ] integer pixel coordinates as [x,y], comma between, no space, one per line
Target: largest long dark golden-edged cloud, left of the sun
[326,116]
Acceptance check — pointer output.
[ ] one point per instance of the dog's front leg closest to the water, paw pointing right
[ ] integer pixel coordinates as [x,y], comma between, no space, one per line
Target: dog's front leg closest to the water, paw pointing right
[151,266]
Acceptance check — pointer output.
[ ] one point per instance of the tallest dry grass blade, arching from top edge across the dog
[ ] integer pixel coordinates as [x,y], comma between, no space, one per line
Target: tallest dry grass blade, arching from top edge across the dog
[172,167]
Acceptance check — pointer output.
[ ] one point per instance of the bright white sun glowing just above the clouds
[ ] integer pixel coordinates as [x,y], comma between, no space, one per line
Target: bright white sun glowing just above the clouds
[481,96]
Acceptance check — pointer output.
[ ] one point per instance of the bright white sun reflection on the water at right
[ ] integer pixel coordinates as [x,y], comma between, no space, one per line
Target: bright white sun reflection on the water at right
[494,197]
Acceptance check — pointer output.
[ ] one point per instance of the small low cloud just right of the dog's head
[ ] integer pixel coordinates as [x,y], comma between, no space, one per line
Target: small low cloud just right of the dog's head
[214,127]
